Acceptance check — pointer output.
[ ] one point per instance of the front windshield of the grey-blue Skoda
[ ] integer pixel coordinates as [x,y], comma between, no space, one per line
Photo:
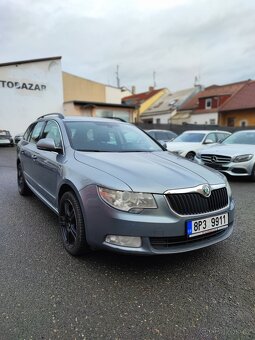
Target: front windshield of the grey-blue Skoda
[108,137]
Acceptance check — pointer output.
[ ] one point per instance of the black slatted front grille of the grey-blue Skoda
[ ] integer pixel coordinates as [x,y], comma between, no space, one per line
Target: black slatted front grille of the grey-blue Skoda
[195,203]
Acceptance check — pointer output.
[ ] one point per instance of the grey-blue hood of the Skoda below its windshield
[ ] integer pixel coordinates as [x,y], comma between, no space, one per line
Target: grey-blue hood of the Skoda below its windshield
[153,172]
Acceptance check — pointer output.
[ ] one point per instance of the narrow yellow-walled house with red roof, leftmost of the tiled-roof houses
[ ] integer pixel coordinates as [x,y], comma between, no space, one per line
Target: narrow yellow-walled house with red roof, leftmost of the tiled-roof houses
[142,101]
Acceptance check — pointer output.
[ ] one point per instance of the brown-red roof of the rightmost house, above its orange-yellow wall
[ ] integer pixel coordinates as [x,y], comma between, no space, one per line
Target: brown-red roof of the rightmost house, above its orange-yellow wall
[243,99]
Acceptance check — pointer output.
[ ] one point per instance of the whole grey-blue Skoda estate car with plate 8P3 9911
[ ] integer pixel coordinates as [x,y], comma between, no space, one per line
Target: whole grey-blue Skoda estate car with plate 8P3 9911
[114,188]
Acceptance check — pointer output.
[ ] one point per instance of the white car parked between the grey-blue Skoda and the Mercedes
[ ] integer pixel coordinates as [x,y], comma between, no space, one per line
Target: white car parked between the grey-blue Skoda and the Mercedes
[189,142]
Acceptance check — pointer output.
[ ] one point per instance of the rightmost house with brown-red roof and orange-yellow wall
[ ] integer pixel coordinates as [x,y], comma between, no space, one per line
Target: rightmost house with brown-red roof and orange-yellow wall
[239,110]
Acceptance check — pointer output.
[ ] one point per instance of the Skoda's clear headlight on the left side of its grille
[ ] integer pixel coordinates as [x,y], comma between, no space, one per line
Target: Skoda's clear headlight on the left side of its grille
[127,200]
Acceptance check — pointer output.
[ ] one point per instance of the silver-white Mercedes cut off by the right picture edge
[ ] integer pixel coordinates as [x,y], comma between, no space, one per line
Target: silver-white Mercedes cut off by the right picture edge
[235,156]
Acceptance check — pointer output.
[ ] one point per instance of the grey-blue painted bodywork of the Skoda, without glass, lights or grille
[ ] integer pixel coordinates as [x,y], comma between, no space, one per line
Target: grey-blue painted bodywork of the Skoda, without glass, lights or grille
[49,173]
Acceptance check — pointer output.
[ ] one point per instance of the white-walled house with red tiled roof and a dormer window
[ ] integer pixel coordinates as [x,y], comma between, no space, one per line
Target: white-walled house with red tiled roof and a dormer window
[204,107]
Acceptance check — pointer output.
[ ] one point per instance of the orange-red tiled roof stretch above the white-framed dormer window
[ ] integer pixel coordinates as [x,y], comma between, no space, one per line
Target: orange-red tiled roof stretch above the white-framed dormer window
[213,91]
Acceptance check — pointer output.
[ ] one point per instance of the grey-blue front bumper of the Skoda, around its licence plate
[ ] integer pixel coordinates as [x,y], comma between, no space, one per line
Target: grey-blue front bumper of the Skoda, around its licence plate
[161,230]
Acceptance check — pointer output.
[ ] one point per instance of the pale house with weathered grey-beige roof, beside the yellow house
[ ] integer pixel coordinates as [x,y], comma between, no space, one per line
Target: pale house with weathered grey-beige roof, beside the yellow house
[164,110]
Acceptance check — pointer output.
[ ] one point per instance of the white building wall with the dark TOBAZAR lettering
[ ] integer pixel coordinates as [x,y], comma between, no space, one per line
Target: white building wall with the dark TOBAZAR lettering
[28,91]
